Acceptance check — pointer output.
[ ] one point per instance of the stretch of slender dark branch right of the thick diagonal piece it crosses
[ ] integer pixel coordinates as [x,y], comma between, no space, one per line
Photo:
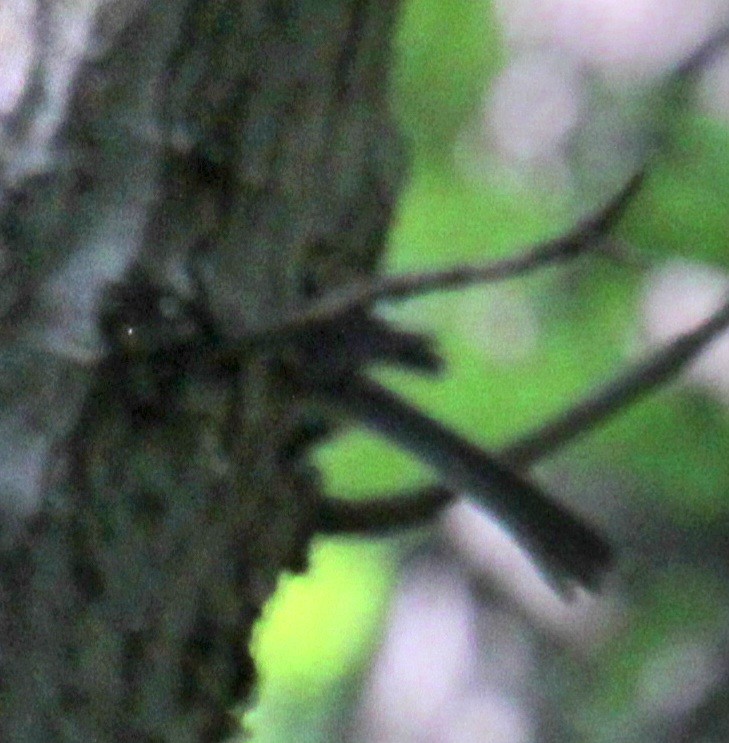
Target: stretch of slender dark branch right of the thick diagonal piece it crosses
[603,404]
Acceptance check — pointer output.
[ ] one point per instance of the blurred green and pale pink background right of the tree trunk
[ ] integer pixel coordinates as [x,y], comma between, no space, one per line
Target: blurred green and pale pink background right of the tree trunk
[521,116]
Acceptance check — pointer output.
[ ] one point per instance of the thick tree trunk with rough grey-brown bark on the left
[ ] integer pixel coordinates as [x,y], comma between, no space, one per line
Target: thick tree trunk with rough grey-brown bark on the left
[145,522]
